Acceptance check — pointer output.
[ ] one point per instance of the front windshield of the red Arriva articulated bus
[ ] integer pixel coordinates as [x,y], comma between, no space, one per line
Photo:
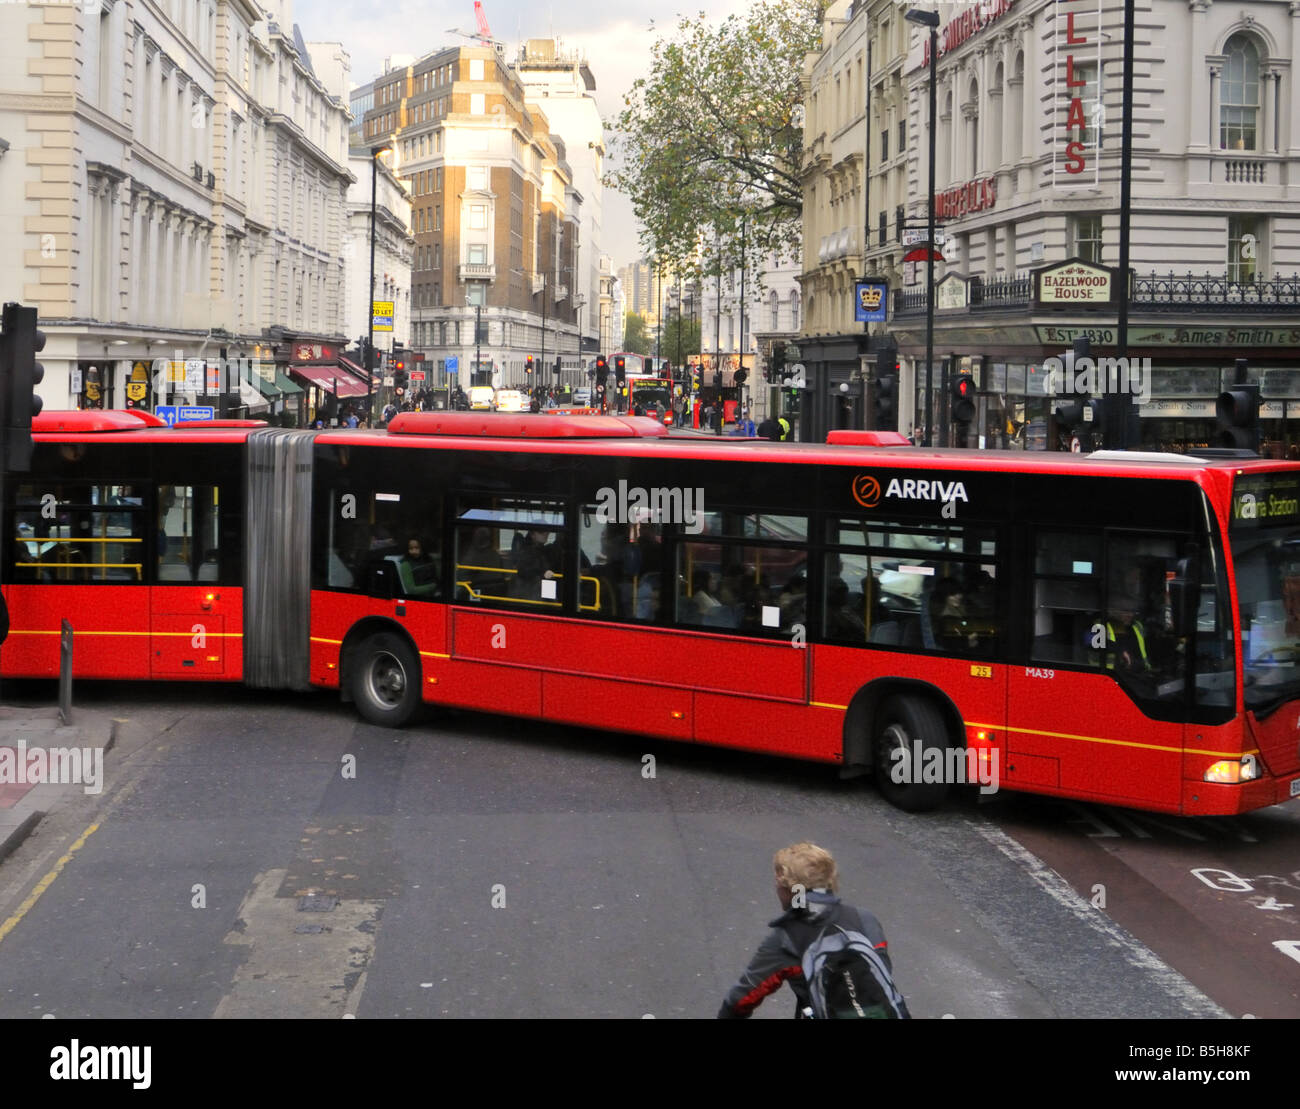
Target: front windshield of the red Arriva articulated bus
[1266,539]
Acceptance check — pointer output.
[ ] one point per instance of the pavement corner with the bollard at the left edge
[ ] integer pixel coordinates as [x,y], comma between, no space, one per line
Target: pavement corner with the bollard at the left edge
[46,764]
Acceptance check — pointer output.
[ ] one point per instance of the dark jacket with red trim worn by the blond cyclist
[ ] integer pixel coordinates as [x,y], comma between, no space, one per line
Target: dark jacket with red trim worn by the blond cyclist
[781,956]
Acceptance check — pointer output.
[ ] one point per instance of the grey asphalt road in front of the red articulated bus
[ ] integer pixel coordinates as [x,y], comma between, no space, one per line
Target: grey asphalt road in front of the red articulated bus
[271,856]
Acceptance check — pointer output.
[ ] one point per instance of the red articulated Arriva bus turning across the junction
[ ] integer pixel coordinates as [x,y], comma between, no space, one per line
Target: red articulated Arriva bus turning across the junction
[1120,627]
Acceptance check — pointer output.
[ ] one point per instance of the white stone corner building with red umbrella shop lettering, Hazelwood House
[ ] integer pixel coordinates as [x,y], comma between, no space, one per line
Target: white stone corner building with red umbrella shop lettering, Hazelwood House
[1028,176]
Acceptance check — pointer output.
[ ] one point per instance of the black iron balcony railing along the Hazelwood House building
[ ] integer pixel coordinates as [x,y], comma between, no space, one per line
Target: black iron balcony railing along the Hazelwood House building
[1155,293]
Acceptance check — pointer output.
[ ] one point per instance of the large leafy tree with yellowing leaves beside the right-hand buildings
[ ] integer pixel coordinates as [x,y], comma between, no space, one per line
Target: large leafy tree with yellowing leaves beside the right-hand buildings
[712,142]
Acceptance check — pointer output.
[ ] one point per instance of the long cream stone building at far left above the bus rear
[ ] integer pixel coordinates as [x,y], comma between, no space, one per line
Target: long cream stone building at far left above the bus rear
[174,190]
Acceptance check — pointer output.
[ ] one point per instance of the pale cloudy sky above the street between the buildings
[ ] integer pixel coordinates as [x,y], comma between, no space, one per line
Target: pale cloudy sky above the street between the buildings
[616,36]
